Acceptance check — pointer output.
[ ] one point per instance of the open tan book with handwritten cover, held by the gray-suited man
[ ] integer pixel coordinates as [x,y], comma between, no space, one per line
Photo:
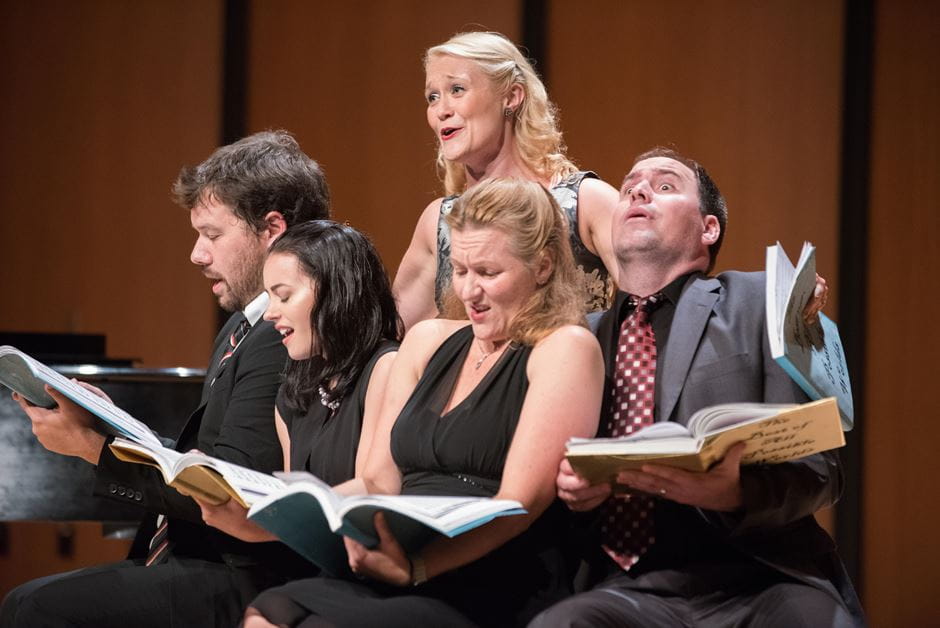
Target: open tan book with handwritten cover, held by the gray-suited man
[773,433]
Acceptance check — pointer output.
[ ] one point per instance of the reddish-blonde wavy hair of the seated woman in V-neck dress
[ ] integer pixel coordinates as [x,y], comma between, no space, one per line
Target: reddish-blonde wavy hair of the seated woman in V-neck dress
[526,212]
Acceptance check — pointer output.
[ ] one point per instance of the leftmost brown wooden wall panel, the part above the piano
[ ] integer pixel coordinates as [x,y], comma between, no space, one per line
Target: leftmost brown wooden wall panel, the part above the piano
[103,102]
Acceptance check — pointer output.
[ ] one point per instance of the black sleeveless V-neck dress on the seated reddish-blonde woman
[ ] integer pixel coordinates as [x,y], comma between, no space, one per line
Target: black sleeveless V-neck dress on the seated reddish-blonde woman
[461,452]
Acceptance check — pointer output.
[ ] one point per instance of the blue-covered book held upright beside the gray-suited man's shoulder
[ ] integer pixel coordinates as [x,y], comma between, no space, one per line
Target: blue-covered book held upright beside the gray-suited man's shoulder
[811,354]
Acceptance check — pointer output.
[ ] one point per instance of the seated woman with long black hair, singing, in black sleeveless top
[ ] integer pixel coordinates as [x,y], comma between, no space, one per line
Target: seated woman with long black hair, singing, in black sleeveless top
[331,301]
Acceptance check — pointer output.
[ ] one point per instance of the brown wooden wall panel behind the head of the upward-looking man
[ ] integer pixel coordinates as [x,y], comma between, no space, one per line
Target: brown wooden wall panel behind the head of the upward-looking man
[750,89]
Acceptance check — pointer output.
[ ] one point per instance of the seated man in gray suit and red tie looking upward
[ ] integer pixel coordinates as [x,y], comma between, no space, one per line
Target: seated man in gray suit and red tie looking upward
[731,546]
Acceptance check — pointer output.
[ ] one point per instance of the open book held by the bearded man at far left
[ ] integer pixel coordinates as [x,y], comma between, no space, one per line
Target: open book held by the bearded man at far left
[28,377]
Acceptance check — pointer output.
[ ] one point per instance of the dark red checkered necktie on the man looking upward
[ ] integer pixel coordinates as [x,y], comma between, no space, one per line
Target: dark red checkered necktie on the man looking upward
[627,527]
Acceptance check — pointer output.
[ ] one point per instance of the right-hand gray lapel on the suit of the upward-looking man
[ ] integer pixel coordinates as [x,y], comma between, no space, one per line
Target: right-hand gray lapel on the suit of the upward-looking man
[692,312]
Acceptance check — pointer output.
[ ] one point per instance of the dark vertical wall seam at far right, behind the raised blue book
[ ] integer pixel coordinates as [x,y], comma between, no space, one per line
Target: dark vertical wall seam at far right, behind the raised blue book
[854,259]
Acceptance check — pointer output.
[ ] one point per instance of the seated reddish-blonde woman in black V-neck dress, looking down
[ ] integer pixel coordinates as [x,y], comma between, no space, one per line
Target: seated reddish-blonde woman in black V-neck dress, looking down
[480,407]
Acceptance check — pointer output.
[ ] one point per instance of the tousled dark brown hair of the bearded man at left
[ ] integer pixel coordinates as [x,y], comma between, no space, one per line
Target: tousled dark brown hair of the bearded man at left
[261,173]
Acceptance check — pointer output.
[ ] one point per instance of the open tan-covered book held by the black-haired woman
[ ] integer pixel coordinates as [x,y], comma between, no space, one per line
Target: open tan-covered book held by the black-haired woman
[199,475]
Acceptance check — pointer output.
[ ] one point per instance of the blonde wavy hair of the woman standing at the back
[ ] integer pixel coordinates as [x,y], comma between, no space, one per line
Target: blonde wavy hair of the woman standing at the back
[537,138]
